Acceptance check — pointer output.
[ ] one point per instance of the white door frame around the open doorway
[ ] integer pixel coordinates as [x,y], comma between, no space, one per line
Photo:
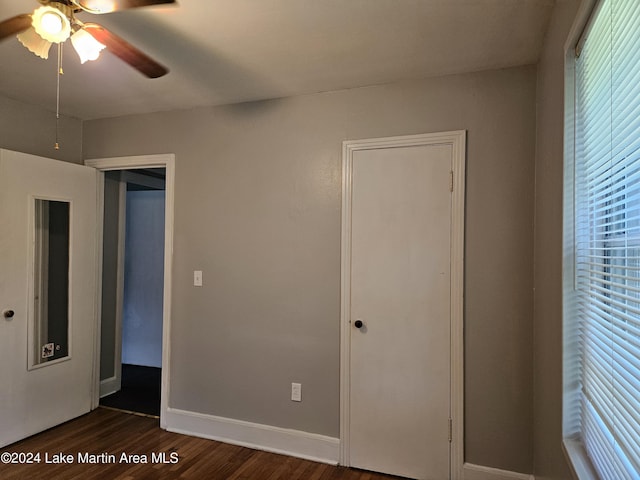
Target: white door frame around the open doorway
[166,161]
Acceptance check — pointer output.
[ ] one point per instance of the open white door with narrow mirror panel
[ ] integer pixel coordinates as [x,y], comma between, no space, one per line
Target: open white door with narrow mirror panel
[47,292]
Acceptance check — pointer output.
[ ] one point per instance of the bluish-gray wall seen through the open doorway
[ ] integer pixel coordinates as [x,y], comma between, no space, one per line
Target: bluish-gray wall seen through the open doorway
[143,278]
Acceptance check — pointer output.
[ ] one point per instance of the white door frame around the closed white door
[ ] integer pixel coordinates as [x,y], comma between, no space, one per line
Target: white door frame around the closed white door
[457,140]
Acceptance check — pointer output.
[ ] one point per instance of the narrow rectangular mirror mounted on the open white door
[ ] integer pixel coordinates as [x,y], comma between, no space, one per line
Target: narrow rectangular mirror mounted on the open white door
[49,332]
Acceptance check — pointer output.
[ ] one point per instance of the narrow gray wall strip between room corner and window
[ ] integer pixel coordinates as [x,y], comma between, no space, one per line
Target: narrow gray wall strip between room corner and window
[549,458]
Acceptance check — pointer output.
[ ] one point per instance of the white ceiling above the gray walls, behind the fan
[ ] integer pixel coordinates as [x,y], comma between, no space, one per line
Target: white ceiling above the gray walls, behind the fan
[228,51]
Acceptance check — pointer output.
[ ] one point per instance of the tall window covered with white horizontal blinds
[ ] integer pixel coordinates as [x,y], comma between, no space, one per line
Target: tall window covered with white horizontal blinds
[602,244]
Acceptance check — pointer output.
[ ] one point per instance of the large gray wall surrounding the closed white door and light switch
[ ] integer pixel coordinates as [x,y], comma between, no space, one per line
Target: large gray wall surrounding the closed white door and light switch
[257,208]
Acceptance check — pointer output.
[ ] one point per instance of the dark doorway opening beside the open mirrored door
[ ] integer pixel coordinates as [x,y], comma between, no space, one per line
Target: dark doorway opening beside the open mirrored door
[132,290]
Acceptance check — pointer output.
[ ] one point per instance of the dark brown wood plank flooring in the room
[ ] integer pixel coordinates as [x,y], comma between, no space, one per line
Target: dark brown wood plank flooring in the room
[104,435]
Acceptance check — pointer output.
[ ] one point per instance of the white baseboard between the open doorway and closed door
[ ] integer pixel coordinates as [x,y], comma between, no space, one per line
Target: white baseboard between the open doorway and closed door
[295,443]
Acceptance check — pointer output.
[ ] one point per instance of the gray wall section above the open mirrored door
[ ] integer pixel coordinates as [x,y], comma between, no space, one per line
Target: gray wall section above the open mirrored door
[29,129]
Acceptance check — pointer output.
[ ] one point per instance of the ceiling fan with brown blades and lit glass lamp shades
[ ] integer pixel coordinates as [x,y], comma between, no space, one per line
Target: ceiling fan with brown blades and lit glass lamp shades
[55,22]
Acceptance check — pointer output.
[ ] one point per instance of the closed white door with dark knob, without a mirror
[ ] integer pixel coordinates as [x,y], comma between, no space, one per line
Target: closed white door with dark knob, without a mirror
[400,311]
